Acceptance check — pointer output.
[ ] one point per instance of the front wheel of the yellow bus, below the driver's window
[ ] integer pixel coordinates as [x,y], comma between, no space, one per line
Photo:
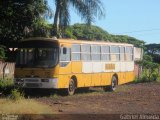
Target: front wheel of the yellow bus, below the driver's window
[72,87]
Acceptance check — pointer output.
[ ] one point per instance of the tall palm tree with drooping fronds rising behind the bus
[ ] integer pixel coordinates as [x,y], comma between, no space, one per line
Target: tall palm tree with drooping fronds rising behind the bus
[87,9]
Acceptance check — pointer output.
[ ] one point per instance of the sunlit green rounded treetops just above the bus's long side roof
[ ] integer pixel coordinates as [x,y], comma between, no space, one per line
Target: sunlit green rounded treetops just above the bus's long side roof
[84,32]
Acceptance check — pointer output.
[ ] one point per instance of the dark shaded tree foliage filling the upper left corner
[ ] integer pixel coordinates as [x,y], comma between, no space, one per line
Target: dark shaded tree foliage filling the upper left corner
[17,15]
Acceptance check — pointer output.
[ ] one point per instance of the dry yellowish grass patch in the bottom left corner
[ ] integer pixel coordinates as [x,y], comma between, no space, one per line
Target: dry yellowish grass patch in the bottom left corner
[24,106]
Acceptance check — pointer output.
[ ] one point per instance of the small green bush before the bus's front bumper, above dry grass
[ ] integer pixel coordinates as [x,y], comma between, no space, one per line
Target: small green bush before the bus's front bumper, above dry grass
[16,95]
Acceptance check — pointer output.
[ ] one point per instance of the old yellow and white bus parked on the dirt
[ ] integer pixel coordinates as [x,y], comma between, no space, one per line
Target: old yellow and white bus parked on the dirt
[70,64]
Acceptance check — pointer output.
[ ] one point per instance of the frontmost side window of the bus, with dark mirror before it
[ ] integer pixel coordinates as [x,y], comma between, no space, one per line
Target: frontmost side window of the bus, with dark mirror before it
[65,56]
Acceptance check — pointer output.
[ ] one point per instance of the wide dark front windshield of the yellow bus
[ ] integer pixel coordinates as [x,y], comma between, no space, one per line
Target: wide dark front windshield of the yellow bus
[37,57]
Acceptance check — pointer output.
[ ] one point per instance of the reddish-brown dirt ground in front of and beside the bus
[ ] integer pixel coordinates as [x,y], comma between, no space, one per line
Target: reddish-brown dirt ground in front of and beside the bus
[141,98]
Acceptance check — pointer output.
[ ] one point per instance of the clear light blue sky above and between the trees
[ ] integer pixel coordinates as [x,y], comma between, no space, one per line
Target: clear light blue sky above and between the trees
[136,18]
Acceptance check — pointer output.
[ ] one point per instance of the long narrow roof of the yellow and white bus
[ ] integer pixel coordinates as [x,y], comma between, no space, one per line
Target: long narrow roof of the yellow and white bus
[72,41]
